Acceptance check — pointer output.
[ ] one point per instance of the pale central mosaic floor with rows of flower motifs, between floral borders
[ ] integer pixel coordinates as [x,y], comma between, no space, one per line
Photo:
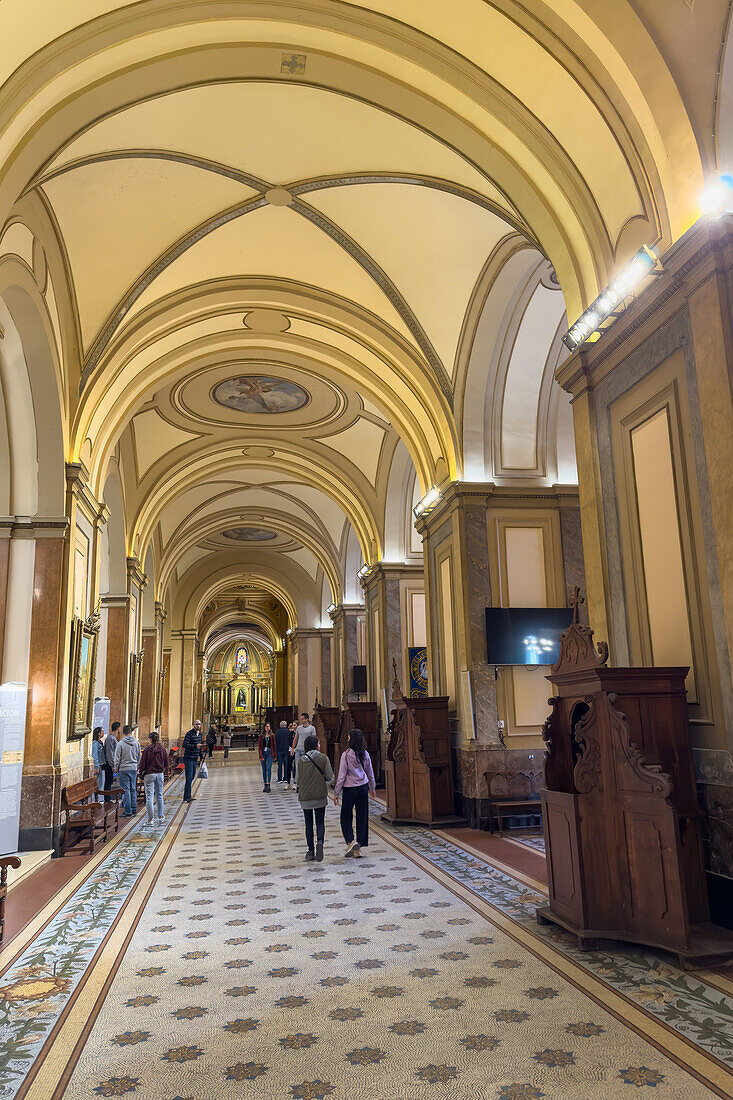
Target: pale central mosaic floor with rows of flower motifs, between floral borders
[244,972]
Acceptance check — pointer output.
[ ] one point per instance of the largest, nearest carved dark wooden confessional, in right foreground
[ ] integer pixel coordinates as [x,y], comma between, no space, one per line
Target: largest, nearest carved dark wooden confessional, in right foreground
[622,823]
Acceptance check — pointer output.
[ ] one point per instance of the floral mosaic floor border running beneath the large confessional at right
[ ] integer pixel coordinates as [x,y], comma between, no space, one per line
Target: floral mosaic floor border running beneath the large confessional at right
[681,999]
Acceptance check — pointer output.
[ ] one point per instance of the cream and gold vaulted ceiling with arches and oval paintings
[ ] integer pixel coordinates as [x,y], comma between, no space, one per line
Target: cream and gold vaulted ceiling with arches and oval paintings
[303,260]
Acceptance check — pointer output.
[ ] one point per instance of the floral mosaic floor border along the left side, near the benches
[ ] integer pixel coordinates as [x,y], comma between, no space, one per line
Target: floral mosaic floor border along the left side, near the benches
[38,986]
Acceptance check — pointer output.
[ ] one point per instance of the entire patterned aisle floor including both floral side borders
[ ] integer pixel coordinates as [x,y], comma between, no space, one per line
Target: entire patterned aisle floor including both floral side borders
[206,960]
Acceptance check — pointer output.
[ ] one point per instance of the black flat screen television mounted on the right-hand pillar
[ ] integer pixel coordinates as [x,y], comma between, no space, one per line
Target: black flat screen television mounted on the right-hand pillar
[526,635]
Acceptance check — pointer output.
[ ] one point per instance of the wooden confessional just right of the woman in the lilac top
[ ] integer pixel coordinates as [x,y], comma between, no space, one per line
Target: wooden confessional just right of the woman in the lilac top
[419,768]
